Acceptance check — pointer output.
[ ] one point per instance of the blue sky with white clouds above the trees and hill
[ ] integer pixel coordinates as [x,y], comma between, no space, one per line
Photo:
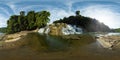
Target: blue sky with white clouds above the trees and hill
[106,11]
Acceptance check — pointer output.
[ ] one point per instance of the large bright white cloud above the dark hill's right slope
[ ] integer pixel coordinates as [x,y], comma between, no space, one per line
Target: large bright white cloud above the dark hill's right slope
[103,14]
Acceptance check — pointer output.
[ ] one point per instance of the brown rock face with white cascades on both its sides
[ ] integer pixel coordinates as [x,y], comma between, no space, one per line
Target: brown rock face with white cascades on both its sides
[60,29]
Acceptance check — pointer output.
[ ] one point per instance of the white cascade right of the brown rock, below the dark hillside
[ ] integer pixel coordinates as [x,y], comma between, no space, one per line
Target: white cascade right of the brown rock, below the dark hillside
[71,29]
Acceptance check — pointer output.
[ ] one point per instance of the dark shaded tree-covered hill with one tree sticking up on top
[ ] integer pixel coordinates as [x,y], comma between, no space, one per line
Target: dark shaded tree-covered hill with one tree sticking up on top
[88,24]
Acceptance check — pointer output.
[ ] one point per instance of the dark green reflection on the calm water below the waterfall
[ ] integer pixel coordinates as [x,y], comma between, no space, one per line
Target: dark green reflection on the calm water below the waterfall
[54,43]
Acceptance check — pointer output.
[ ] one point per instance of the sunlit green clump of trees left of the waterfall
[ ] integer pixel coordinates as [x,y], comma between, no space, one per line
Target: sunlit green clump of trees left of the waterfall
[32,20]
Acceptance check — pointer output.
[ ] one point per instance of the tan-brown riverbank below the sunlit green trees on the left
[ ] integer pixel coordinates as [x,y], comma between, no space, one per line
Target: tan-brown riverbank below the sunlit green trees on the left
[14,40]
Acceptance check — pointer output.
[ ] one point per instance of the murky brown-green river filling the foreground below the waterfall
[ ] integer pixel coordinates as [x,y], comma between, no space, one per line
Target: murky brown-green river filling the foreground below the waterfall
[46,47]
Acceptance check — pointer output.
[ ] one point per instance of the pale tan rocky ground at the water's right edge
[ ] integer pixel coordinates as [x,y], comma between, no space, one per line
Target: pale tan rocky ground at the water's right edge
[109,41]
